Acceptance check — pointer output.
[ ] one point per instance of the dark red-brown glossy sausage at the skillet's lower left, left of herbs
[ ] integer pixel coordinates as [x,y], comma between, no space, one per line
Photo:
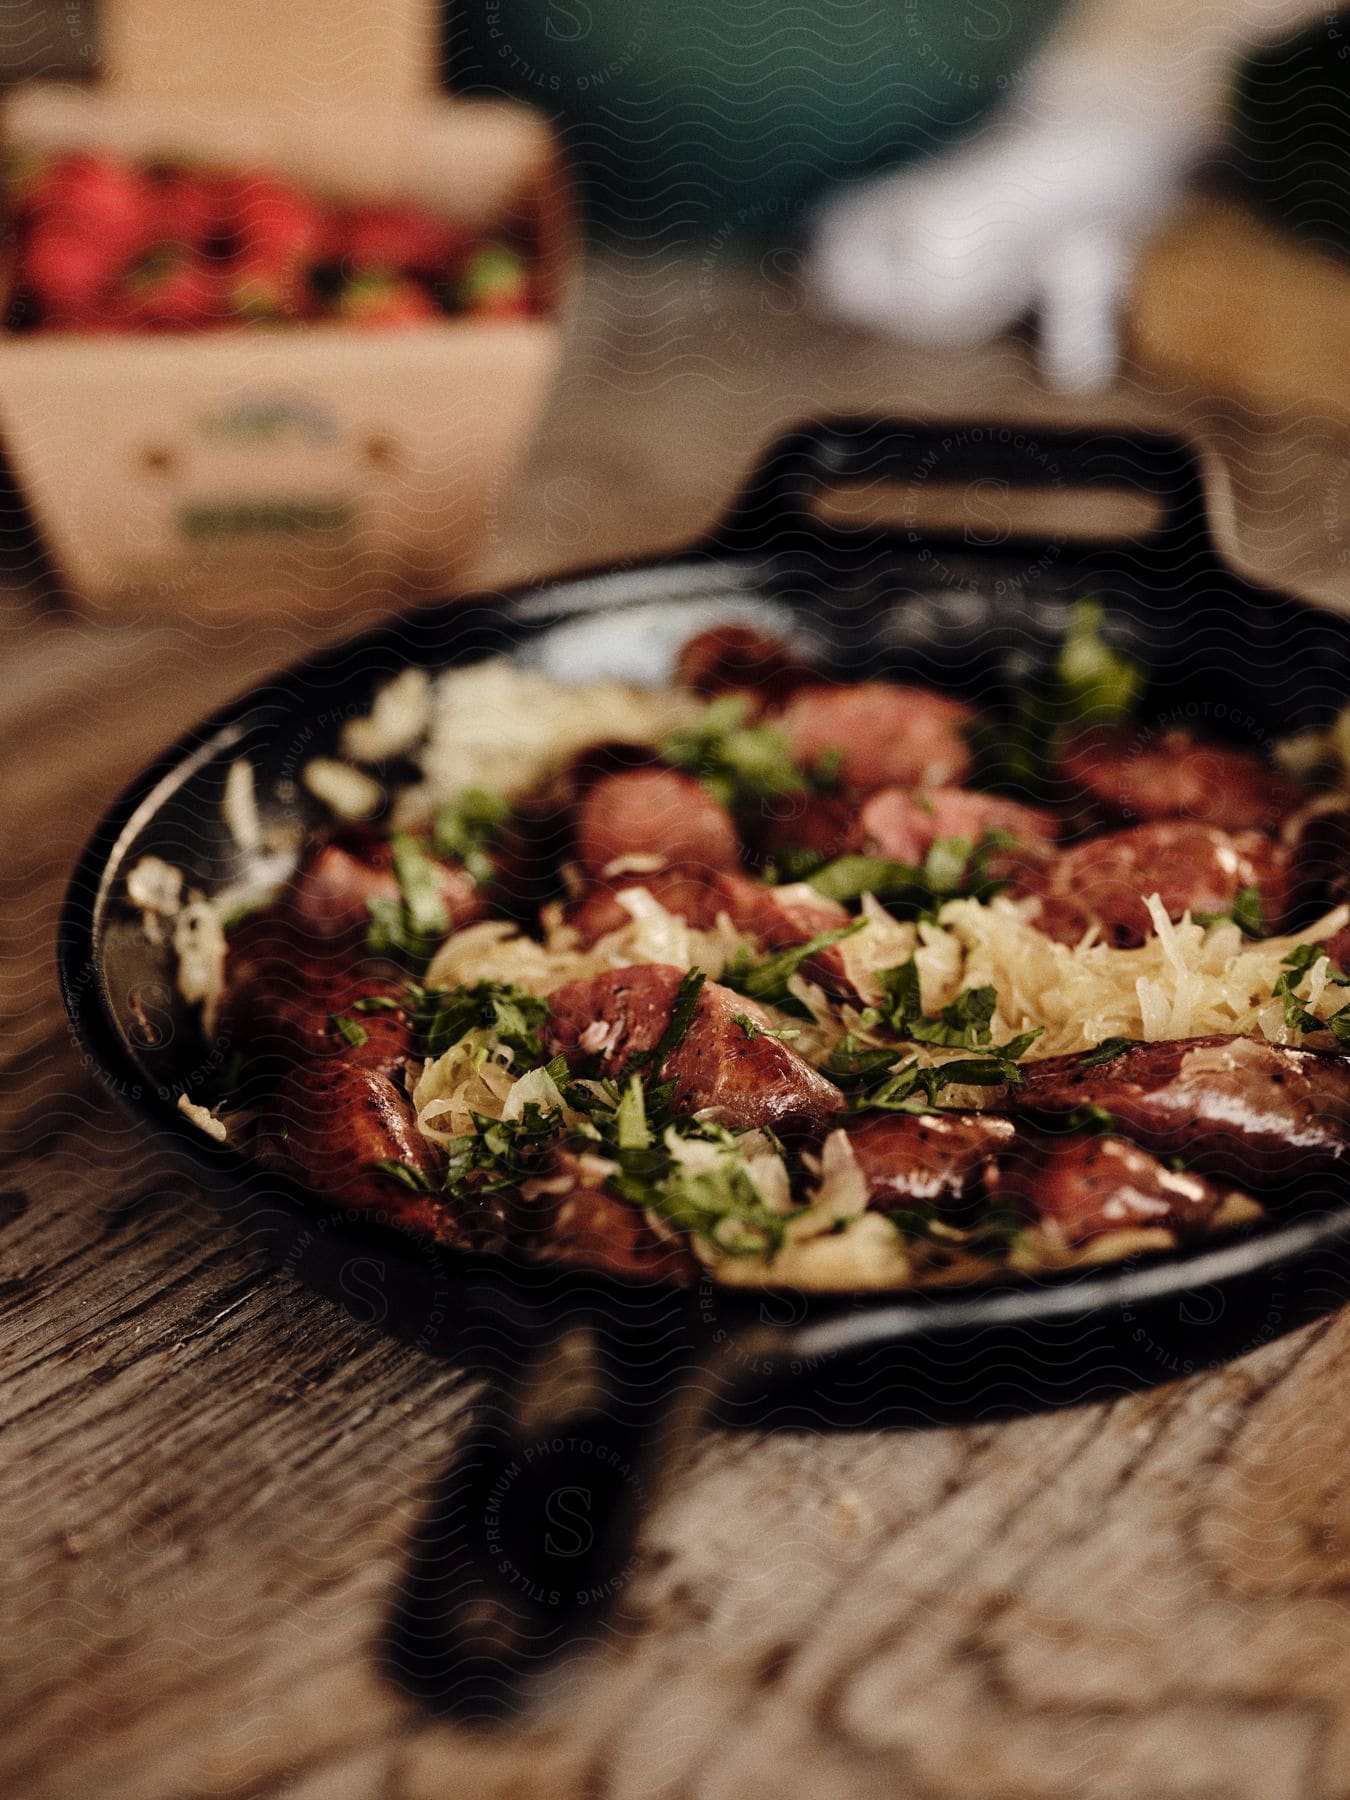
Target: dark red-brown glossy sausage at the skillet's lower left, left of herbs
[339,1122]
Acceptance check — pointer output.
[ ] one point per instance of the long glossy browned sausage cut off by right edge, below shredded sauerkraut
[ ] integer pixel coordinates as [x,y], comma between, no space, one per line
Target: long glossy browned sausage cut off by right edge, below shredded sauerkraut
[1227,1106]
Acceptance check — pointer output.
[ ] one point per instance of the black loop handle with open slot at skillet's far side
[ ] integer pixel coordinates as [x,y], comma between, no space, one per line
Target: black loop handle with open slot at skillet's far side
[777,508]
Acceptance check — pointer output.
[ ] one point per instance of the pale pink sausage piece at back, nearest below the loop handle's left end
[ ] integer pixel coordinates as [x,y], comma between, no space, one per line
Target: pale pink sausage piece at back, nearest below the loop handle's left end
[885,735]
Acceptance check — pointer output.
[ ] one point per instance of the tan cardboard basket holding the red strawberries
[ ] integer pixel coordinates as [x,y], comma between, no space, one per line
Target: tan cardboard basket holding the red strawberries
[292,463]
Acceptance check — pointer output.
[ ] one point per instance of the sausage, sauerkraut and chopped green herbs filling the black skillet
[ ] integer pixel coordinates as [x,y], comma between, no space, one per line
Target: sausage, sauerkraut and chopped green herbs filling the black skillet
[782,982]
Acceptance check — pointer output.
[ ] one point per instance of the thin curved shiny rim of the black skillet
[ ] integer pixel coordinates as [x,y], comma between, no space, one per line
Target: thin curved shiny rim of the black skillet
[836,1317]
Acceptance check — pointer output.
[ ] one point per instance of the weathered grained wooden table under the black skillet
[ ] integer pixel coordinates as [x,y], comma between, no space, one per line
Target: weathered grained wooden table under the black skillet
[210,1473]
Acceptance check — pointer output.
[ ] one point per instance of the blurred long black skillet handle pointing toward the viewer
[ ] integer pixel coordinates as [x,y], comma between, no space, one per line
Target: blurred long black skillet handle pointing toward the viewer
[530,1536]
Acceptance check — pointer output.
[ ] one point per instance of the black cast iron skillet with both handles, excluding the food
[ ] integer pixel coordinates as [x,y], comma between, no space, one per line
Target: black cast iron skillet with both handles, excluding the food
[595,1381]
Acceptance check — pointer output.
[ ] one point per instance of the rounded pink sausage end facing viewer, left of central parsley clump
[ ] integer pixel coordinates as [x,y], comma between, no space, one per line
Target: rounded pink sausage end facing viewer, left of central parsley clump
[654,813]
